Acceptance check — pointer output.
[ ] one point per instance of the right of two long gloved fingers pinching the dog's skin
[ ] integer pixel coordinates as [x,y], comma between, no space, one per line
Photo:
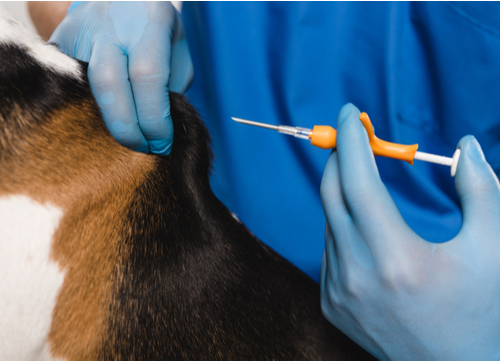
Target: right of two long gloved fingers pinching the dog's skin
[149,69]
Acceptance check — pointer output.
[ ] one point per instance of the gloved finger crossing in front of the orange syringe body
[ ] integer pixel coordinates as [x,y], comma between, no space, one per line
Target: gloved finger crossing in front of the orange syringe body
[372,209]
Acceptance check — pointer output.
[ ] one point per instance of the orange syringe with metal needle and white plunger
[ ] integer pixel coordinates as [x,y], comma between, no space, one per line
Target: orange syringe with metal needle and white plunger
[326,137]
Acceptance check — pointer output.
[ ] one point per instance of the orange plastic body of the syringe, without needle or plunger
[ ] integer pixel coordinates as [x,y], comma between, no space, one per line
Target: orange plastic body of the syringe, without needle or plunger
[325,137]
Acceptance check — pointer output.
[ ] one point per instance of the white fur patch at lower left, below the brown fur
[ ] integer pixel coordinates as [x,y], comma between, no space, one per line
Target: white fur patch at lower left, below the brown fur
[29,279]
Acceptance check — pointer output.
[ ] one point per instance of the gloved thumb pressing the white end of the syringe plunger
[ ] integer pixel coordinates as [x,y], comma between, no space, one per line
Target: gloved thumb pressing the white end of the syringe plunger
[477,185]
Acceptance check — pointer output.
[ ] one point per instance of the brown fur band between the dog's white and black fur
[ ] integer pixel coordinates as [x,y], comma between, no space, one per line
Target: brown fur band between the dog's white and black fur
[93,186]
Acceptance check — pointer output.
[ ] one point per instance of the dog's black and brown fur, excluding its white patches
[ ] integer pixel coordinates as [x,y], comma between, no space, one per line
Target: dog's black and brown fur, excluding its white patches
[155,266]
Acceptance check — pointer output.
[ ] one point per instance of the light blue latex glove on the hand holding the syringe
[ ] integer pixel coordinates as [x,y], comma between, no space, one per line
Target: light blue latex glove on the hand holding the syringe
[397,295]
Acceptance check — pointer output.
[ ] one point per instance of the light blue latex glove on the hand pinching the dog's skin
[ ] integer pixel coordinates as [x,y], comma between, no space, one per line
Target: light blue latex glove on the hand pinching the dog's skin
[136,52]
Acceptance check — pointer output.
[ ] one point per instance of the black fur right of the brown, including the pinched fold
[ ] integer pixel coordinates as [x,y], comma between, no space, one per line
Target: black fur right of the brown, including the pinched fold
[200,285]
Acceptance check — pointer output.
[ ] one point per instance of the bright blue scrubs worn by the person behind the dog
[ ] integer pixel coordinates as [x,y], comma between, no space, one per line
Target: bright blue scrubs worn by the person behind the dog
[426,73]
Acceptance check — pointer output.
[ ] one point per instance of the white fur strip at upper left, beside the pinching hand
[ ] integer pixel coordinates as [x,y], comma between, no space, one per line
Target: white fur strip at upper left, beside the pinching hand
[11,32]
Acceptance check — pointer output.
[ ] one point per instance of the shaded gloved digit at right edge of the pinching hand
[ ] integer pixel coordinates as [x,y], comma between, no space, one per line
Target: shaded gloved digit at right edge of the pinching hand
[181,65]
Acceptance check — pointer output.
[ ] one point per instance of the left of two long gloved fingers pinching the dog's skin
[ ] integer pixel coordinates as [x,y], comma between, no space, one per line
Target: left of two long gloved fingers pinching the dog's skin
[108,77]
